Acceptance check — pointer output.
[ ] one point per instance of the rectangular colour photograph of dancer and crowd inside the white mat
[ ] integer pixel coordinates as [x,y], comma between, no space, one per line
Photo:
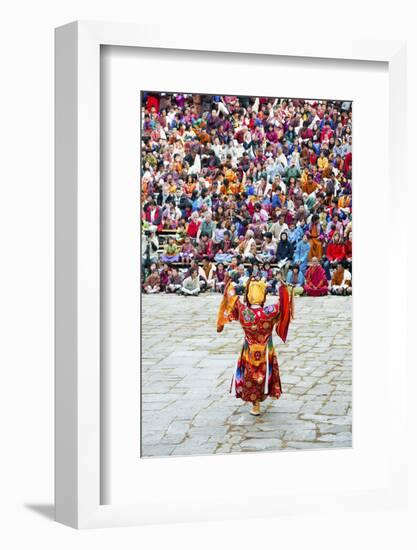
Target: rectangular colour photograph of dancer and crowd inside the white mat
[246,273]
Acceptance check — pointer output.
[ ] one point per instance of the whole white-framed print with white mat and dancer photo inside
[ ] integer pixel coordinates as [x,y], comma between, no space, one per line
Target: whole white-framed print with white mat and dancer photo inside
[214,322]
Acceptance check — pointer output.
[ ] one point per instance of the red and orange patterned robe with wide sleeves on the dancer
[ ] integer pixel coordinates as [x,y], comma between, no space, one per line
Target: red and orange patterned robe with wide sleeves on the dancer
[258,353]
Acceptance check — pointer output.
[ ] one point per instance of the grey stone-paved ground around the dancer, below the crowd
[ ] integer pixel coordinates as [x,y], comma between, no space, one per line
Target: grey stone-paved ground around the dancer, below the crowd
[187,369]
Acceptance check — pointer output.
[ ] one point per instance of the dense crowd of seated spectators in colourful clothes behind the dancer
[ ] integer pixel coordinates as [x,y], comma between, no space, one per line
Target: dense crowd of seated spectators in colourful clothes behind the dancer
[239,186]
